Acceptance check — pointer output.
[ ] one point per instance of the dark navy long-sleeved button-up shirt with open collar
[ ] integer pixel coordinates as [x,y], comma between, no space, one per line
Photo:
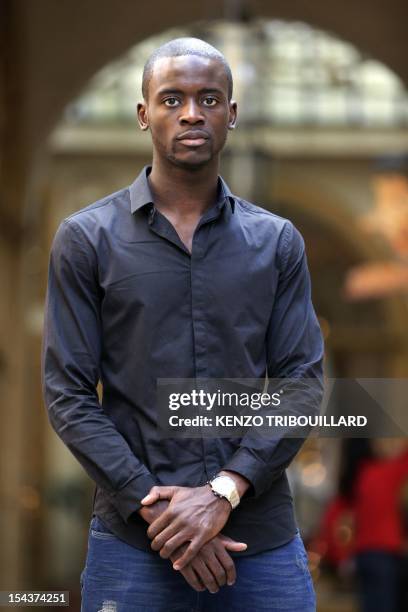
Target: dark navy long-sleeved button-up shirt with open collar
[128,304]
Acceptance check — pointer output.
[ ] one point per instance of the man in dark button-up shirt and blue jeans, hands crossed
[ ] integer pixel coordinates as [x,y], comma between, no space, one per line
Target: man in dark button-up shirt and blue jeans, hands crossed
[175,277]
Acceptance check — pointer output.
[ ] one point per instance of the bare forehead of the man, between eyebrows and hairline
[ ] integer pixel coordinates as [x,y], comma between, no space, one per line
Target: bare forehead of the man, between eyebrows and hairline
[188,72]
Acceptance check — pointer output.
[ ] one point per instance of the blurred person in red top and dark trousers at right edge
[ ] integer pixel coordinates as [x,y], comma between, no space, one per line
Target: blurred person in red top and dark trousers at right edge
[380,543]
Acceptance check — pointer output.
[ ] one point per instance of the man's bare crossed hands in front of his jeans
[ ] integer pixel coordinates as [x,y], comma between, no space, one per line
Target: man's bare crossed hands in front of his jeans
[185,525]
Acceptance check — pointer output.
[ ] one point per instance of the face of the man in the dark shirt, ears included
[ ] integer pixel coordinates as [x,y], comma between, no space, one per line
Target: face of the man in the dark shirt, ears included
[187,111]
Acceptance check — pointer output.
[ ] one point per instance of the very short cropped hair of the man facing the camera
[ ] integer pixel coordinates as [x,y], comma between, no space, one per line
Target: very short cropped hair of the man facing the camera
[184,46]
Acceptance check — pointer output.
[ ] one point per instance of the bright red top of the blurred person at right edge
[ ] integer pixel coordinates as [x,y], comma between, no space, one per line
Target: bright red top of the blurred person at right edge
[378,524]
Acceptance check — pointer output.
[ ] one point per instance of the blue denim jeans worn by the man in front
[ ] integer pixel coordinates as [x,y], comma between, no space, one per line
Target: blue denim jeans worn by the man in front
[120,578]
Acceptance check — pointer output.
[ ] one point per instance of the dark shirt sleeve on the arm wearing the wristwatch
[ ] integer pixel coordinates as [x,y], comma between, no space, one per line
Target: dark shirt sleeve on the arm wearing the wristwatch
[294,349]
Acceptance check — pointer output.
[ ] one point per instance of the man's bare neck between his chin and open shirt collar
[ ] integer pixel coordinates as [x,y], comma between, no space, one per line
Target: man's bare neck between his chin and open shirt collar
[184,189]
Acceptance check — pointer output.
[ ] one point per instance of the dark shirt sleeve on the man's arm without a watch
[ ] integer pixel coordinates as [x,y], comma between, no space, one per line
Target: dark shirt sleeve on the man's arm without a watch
[71,354]
